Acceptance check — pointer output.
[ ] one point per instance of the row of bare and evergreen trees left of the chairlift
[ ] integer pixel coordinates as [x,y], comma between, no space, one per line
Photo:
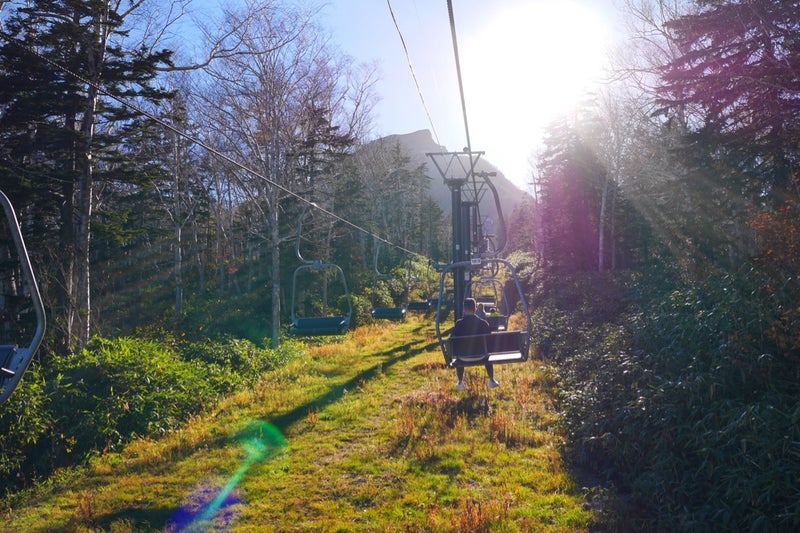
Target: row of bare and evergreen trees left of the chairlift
[146,178]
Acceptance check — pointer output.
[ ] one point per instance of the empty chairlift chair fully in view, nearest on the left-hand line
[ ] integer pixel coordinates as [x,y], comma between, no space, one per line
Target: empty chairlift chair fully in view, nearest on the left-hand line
[319,325]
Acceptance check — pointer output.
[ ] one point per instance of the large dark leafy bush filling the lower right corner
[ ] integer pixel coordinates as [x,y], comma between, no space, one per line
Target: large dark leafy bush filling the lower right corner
[692,405]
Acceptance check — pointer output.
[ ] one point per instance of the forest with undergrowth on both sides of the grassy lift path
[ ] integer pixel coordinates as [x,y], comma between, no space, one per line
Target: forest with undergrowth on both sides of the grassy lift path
[659,247]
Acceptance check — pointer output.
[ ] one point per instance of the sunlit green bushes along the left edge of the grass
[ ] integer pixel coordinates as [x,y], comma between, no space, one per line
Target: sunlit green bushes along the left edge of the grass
[116,389]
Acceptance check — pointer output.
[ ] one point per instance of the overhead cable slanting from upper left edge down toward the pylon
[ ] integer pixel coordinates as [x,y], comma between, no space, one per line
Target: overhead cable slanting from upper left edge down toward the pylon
[205,146]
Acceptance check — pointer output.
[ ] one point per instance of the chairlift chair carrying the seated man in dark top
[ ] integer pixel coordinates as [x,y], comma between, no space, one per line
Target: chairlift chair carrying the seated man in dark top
[498,347]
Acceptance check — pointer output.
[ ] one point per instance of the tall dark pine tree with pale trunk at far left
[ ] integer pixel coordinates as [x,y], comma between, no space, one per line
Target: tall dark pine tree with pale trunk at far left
[62,134]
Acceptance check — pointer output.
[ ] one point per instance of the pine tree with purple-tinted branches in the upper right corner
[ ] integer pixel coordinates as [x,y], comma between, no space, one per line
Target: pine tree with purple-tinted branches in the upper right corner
[738,72]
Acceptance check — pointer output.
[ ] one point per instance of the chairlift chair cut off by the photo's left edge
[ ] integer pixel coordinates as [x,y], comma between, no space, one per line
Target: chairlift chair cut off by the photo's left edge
[17,279]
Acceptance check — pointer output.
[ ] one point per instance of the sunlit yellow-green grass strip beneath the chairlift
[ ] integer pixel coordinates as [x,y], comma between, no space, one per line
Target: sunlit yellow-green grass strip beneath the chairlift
[362,434]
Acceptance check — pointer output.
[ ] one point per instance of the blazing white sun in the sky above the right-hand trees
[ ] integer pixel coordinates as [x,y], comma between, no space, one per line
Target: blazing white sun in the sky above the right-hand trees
[529,64]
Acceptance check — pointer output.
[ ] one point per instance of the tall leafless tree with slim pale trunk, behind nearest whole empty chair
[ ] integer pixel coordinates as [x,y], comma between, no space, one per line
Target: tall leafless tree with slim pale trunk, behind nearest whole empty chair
[284,103]
